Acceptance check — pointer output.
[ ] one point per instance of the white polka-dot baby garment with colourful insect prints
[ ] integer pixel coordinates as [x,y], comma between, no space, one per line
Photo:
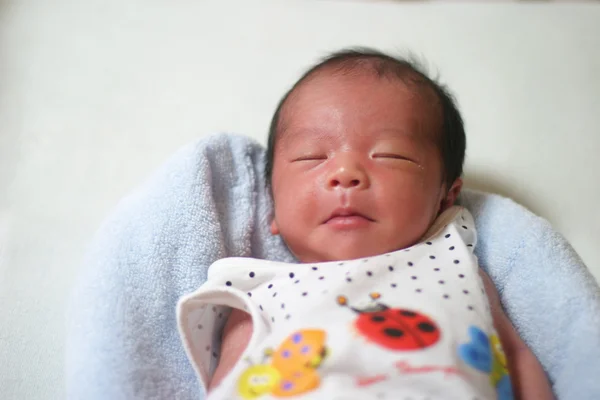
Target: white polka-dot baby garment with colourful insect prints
[411,324]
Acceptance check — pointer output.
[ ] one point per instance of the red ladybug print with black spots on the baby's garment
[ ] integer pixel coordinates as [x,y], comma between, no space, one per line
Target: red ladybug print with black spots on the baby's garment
[395,328]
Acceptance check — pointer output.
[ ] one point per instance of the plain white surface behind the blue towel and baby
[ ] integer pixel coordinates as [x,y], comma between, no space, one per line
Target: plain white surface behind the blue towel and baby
[95,94]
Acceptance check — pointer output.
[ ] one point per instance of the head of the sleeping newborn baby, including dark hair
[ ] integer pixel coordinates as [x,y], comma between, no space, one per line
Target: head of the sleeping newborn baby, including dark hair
[364,152]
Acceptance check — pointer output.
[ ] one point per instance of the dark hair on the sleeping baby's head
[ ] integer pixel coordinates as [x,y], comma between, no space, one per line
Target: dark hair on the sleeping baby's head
[452,138]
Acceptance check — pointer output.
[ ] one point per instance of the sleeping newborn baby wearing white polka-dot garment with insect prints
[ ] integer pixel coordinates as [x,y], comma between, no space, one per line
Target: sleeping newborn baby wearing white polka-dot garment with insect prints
[364,163]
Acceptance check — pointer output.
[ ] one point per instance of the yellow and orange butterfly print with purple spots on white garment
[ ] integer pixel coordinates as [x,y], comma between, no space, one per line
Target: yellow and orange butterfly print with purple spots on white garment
[292,370]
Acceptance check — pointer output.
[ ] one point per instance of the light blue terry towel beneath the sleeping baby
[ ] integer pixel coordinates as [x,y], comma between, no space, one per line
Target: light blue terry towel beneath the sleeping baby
[208,202]
